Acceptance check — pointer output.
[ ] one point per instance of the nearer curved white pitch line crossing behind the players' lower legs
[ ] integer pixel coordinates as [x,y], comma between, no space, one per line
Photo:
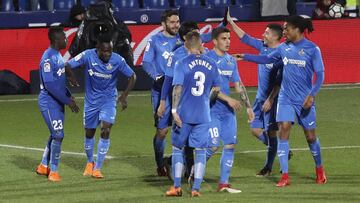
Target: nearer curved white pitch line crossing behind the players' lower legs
[147,155]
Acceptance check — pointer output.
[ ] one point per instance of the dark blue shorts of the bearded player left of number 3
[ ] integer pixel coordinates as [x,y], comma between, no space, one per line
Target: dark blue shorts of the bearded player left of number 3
[166,120]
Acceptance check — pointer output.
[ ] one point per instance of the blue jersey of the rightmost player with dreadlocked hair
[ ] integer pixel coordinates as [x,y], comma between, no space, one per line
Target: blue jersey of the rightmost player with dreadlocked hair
[301,60]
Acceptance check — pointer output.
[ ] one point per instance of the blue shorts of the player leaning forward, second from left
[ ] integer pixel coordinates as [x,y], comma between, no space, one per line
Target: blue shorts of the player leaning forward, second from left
[94,114]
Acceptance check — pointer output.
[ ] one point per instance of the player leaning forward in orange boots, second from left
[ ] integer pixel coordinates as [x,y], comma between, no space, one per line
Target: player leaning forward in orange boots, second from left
[102,68]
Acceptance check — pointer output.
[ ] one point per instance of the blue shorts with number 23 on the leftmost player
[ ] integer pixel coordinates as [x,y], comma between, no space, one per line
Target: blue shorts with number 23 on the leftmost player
[54,119]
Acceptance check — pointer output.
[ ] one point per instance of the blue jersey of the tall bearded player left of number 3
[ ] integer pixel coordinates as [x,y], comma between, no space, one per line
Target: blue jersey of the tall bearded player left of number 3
[158,51]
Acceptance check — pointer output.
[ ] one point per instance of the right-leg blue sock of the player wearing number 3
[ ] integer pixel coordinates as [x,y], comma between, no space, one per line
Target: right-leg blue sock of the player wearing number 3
[199,169]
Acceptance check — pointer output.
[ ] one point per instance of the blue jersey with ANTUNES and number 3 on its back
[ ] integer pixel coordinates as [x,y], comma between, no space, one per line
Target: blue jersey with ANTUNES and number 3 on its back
[197,74]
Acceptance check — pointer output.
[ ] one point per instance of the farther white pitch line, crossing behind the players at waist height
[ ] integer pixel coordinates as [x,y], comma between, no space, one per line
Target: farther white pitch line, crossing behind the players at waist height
[330,87]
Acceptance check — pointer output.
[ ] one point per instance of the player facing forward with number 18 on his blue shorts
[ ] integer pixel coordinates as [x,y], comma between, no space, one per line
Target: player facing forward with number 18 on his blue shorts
[223,119]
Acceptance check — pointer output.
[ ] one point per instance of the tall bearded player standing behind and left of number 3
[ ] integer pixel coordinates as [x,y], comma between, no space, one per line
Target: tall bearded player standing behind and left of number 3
[157,53]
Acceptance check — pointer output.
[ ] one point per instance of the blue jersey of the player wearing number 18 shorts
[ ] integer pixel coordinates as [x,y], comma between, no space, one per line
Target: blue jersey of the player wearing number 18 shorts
[228,70]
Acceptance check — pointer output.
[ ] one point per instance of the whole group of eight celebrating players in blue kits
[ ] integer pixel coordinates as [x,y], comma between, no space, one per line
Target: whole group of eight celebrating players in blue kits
[191,93]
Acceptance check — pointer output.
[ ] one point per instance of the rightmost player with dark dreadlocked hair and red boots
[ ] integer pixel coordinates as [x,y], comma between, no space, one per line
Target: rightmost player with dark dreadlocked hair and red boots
[301,58]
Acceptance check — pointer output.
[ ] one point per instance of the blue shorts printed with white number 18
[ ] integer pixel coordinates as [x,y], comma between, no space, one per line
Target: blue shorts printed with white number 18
[222,127]
